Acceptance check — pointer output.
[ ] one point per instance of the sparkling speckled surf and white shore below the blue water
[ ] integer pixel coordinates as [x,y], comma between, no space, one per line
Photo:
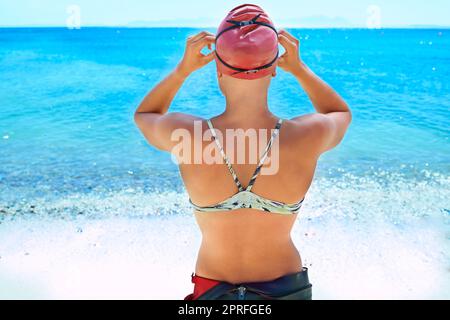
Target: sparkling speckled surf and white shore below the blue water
[360,237]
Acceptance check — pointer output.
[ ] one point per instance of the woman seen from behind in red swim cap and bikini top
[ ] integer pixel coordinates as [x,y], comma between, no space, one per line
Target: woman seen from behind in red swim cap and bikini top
[246,216]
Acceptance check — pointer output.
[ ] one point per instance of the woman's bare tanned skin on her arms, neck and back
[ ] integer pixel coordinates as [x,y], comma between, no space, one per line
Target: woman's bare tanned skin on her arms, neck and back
[247,245]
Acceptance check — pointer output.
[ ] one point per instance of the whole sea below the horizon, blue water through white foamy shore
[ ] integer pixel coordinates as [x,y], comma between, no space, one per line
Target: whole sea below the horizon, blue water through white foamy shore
[89,210]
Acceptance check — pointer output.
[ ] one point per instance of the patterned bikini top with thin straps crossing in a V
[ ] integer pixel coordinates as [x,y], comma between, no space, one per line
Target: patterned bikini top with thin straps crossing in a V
[245,198]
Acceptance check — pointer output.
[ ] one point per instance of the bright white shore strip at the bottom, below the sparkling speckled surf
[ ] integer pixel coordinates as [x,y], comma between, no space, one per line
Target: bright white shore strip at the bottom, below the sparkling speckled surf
[152,258]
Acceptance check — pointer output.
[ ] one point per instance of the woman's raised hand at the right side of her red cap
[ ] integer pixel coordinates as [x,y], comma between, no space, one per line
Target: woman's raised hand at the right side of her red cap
[290,61]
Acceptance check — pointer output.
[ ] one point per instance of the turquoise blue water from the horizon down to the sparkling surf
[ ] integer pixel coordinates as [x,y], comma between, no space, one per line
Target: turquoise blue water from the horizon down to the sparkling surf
[67,99]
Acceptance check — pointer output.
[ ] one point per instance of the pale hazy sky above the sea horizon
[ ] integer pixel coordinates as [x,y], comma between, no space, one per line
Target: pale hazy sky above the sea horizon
[203,13]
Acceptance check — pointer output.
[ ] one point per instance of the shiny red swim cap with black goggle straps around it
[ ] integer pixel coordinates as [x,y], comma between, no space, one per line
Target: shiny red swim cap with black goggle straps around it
[247,43]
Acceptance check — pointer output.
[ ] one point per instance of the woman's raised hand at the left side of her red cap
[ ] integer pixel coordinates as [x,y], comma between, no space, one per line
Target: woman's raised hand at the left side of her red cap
[193,58]
